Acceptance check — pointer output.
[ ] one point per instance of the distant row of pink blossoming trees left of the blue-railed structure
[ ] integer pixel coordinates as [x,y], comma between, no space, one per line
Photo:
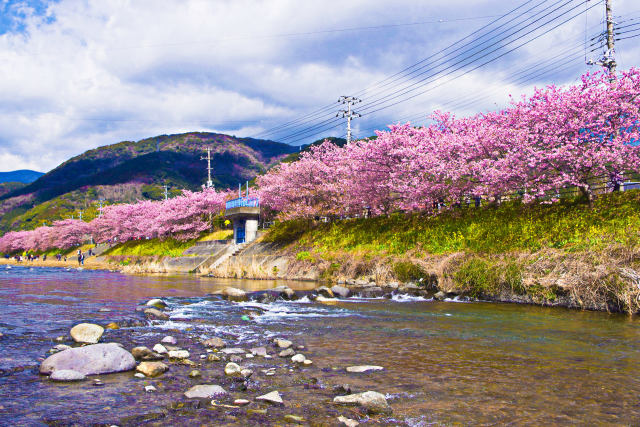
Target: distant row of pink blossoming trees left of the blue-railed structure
[183,217]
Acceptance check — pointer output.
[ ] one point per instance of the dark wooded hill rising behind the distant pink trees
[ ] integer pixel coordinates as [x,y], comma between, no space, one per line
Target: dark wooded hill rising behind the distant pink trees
[128,171]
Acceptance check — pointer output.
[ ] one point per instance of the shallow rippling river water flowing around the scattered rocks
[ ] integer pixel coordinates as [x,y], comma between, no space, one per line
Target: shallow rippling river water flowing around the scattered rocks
[445,362]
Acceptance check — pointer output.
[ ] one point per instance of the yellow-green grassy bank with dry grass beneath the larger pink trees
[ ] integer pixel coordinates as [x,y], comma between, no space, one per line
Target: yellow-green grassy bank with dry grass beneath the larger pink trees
[567,253]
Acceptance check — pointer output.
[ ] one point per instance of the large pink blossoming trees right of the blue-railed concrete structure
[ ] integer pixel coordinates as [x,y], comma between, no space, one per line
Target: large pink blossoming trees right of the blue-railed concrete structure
[557,138]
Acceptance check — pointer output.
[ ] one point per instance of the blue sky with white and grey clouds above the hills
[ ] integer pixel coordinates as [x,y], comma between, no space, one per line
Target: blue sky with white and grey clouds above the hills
[77,74]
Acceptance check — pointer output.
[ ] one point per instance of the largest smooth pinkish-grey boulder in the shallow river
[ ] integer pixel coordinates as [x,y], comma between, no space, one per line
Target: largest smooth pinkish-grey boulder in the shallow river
[90,360]
